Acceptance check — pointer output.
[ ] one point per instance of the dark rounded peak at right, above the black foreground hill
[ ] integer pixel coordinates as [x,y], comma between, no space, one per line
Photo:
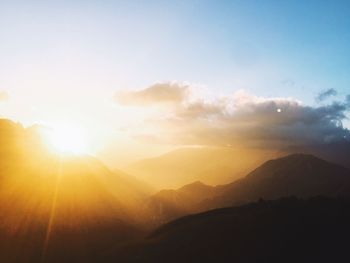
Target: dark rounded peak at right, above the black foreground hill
[299,175]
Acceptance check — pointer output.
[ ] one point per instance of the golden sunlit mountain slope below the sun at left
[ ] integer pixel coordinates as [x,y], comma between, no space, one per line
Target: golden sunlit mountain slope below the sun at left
[61,208]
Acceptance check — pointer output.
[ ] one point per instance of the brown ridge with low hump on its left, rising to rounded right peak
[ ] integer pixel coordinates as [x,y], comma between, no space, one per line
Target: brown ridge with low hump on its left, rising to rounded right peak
[299,175]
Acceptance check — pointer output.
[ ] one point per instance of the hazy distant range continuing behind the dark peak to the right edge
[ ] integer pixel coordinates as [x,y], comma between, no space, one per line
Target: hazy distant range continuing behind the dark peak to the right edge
[215,166]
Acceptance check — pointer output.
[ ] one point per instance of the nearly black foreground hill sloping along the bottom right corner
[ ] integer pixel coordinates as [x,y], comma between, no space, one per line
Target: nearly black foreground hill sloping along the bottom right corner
[286,230]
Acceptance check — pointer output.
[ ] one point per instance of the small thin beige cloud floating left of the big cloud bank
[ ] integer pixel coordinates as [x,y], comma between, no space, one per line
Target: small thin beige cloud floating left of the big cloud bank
[167,92]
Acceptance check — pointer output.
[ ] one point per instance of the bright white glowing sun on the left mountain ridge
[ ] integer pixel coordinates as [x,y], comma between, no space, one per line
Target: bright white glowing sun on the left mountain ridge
[68,139]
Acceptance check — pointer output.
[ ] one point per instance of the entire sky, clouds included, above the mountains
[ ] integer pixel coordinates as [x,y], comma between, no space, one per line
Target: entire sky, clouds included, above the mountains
[81,62]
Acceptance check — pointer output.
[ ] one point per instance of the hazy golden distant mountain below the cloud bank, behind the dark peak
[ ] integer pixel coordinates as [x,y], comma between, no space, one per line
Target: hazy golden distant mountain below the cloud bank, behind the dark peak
[209,165]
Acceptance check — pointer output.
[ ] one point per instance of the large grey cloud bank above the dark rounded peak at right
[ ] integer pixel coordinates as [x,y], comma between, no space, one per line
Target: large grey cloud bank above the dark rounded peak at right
[258,122]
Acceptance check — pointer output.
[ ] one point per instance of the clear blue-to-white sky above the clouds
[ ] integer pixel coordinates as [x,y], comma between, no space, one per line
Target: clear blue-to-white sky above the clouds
[79,53]
